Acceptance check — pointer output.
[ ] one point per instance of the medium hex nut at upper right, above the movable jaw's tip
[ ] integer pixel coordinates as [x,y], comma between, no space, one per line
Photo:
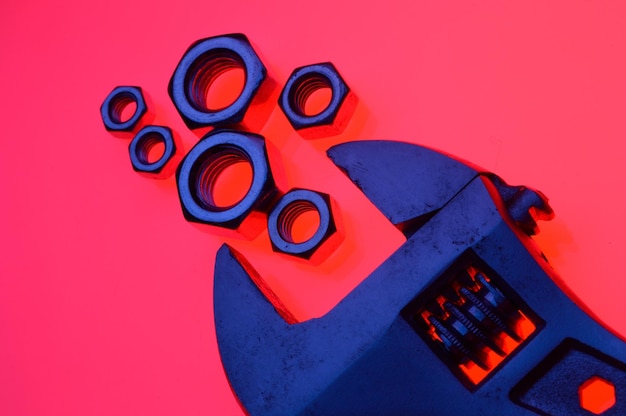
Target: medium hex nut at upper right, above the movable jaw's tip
[301,84]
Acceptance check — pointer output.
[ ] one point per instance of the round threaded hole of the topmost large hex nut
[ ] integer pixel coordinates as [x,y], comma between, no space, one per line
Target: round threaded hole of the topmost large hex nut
[215,80]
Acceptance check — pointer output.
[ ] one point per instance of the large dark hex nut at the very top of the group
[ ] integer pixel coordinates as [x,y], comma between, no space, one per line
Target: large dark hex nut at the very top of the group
[201,64]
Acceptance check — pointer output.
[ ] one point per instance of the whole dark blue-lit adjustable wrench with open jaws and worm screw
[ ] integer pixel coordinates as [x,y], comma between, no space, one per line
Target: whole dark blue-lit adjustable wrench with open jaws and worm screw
[463,319]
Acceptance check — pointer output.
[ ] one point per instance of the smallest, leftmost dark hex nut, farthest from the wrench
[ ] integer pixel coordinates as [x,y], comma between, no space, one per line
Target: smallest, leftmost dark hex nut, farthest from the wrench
[114,104]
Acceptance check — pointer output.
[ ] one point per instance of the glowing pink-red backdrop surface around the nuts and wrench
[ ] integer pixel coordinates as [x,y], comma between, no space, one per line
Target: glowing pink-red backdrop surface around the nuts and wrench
[106,291]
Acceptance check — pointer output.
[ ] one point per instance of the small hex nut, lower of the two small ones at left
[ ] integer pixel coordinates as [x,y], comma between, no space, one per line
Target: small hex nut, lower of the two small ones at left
[141,145]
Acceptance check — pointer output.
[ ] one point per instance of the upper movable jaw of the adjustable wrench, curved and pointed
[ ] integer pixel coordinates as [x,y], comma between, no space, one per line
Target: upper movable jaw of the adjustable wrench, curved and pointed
[407,183]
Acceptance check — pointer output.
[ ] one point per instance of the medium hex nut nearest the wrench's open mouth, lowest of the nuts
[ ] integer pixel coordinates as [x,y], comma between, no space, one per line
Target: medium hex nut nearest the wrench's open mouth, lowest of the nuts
[283,215]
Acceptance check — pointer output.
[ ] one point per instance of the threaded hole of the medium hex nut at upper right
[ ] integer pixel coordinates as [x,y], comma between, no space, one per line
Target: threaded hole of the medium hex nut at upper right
[312,95]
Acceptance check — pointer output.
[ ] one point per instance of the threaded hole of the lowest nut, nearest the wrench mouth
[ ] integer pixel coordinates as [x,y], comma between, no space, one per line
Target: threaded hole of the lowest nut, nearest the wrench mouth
[298,222]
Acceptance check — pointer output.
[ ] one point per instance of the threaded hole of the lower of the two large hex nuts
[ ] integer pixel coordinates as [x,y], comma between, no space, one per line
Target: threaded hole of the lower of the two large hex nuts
[223,179]
